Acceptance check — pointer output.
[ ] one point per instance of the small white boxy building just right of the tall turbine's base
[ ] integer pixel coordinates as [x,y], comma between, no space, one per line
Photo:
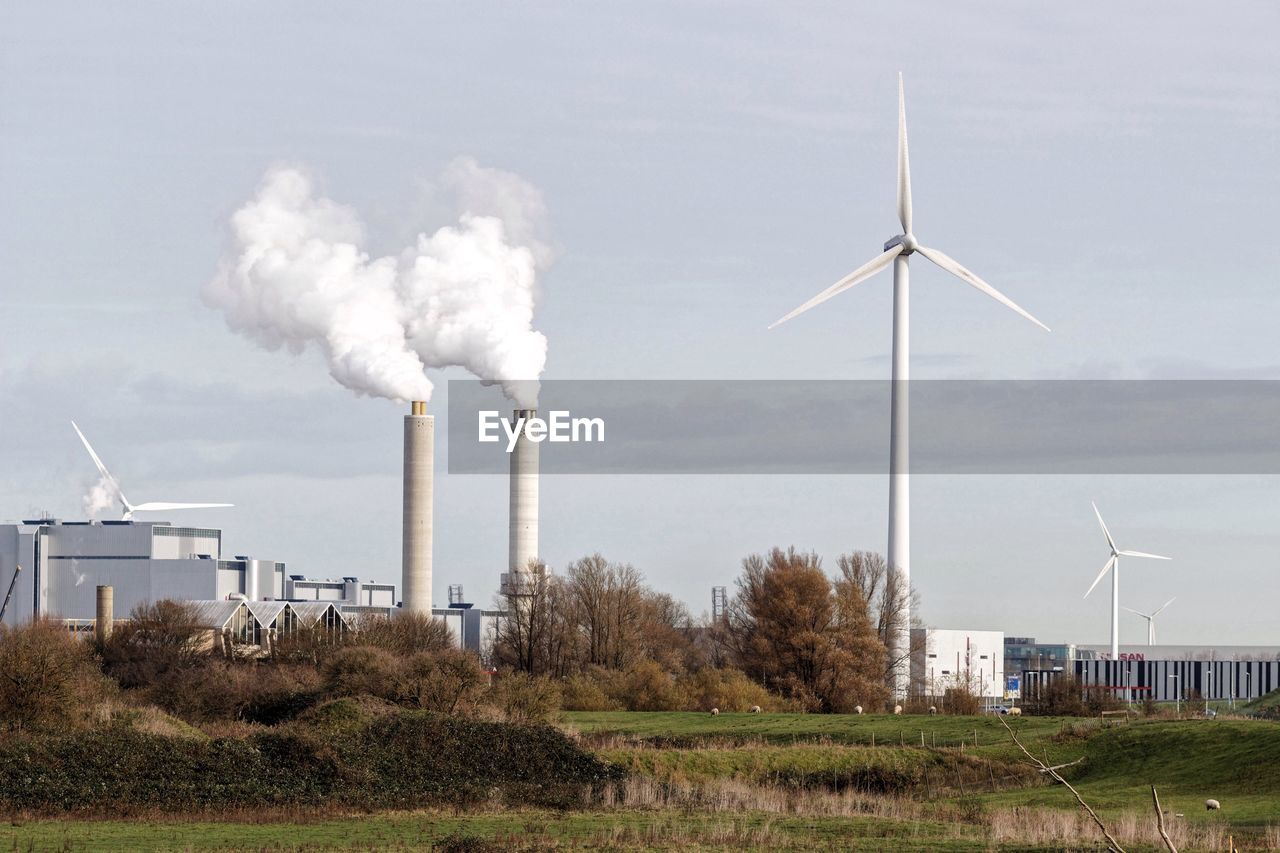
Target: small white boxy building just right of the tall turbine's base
[947,659]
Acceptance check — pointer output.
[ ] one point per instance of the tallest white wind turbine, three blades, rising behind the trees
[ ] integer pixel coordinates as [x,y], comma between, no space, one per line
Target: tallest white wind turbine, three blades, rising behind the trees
[898,252]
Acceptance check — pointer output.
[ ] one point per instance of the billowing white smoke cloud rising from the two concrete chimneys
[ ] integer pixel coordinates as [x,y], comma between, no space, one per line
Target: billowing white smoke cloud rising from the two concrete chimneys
[298,276]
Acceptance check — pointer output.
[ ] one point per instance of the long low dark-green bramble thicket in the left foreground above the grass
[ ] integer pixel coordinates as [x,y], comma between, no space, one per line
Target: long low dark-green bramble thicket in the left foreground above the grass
[405,760]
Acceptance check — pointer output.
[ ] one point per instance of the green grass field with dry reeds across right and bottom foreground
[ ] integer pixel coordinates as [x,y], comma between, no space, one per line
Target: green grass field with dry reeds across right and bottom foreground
[808,782]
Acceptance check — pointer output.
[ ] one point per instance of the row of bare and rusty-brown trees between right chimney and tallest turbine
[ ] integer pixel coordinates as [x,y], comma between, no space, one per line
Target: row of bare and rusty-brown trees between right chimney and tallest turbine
[802,638]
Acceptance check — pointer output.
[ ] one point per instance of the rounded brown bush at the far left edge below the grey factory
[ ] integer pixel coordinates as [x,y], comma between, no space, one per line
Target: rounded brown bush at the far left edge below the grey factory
[48,678]
